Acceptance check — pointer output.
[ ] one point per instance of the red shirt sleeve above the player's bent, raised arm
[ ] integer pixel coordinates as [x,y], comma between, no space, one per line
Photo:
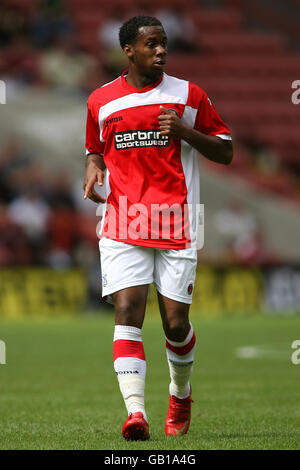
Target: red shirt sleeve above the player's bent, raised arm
[208,120]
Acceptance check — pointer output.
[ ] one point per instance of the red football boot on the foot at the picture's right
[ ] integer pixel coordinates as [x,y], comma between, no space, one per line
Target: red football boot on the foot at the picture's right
[179,416]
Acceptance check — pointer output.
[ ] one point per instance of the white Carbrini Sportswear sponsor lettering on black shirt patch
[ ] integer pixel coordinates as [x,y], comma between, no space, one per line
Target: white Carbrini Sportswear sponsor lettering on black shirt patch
[140,138]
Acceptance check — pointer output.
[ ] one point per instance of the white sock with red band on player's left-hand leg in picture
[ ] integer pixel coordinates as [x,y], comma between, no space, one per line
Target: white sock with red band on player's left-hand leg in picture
[130,366]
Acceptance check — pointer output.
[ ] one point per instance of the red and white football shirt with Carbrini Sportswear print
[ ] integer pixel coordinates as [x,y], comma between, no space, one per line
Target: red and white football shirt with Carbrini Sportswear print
[152,181]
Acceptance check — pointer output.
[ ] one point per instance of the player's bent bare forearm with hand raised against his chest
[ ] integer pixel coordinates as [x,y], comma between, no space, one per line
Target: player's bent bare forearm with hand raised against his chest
[212,147]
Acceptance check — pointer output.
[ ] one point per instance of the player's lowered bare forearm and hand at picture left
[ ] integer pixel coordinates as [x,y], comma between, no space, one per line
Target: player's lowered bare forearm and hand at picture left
[94,173]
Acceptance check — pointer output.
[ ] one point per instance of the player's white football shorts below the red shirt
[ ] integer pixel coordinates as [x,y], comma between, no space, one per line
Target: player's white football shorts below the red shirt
[123,265]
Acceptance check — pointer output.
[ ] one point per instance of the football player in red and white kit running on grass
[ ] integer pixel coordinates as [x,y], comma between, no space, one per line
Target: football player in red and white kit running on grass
[144,132]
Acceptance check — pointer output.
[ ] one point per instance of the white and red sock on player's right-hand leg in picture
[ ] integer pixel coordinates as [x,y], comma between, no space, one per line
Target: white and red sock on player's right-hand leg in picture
[180,357]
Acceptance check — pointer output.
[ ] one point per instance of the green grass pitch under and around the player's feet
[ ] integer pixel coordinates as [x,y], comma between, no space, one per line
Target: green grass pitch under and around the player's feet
[58,389]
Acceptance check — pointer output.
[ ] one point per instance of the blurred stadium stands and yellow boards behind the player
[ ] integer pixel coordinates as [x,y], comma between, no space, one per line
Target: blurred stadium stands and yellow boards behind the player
[244,53]
